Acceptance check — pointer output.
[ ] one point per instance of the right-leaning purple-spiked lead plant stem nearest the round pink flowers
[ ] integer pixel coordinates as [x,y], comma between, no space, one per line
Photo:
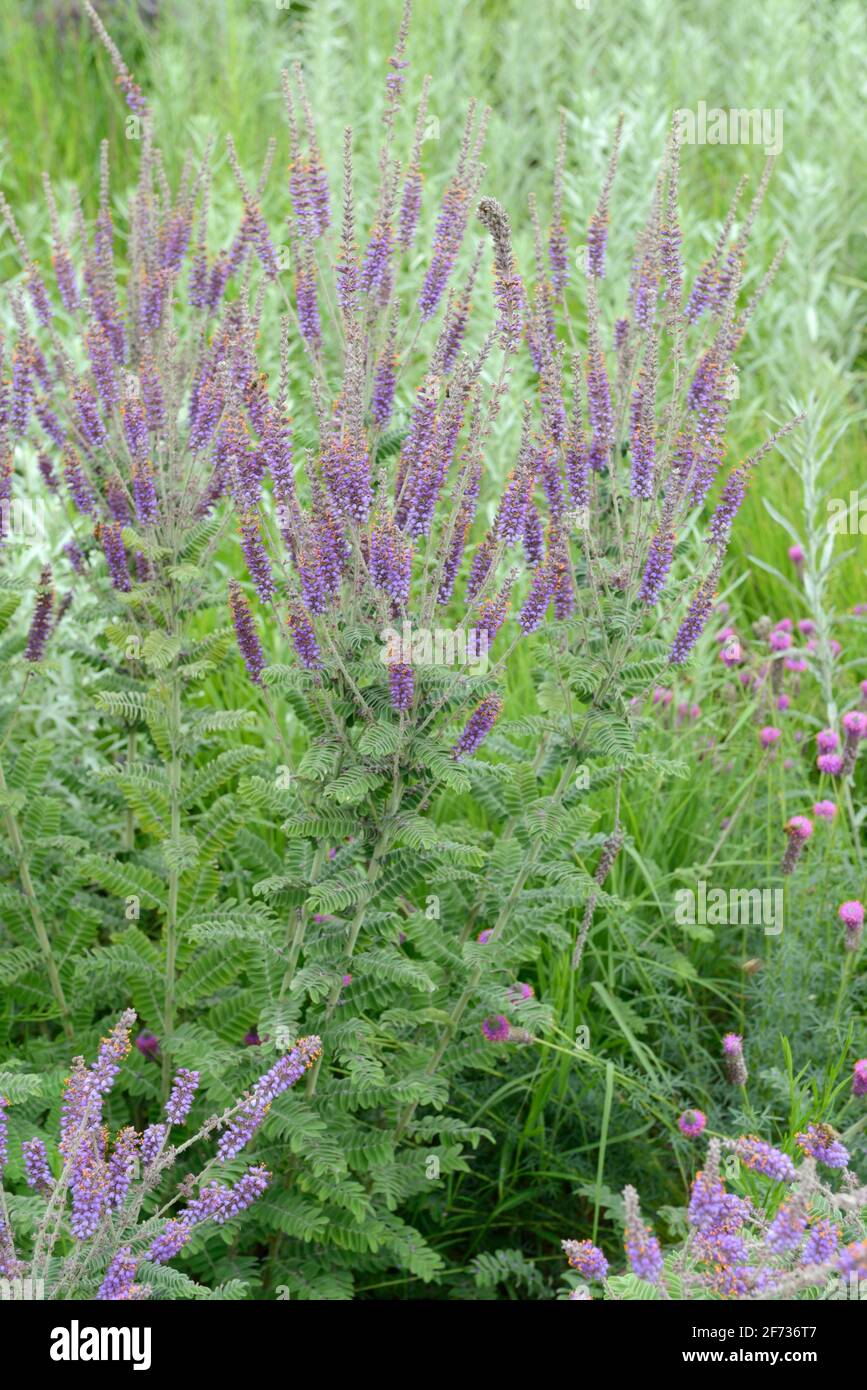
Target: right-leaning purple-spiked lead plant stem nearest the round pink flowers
[625,461]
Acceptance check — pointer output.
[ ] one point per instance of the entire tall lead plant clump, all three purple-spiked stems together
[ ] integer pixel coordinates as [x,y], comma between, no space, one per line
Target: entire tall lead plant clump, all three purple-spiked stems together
[322,894]
